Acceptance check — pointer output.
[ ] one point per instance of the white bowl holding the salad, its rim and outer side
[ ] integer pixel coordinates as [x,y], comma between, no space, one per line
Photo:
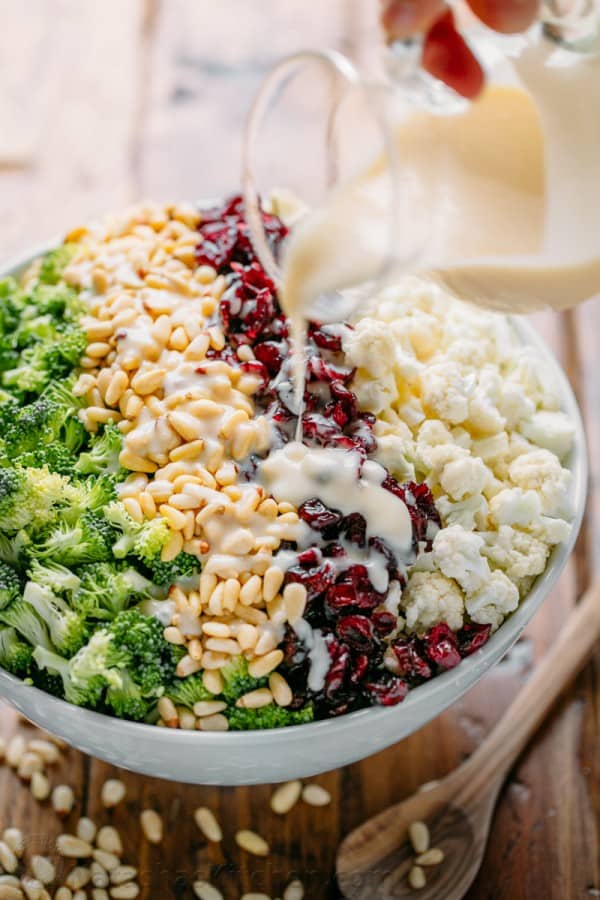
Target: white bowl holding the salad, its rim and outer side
[254,757]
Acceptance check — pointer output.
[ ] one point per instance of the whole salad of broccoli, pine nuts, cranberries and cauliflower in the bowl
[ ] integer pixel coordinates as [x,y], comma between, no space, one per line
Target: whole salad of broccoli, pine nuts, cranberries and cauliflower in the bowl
[184,542]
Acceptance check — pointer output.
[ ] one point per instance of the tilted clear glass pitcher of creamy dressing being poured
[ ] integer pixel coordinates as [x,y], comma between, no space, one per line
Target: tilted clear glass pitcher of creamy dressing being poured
[498,200]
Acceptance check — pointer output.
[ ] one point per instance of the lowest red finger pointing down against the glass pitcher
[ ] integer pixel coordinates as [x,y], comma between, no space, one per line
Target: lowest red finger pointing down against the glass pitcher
[447,56]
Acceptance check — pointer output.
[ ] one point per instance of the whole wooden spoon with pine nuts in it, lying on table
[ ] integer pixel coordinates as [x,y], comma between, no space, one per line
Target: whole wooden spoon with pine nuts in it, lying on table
[374,860]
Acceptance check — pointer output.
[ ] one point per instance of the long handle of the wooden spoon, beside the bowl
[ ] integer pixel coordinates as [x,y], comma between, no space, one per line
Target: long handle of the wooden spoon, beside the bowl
[563,661]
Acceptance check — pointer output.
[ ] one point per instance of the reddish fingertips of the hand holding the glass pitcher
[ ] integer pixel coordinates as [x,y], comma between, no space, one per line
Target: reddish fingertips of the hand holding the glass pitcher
[446,55]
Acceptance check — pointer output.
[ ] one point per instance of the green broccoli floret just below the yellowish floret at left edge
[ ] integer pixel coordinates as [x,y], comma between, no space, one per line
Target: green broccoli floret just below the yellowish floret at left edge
[88,540]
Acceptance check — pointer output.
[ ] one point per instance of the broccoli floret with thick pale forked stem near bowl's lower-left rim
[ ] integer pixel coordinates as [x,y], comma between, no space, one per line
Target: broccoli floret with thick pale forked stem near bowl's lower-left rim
[82,684]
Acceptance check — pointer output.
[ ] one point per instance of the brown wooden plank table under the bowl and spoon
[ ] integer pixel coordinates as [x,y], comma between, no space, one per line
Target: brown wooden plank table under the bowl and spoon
[105,103]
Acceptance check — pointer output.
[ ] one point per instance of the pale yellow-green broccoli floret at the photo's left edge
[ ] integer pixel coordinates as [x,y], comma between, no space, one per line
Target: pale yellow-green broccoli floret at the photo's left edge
[29,497]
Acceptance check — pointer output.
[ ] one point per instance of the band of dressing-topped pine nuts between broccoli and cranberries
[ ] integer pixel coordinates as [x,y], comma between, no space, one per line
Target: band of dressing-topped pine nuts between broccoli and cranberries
[188,422]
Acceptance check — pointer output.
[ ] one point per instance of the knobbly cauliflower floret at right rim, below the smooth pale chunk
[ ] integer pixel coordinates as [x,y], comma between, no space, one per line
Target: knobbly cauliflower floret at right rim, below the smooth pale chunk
[541,471]
